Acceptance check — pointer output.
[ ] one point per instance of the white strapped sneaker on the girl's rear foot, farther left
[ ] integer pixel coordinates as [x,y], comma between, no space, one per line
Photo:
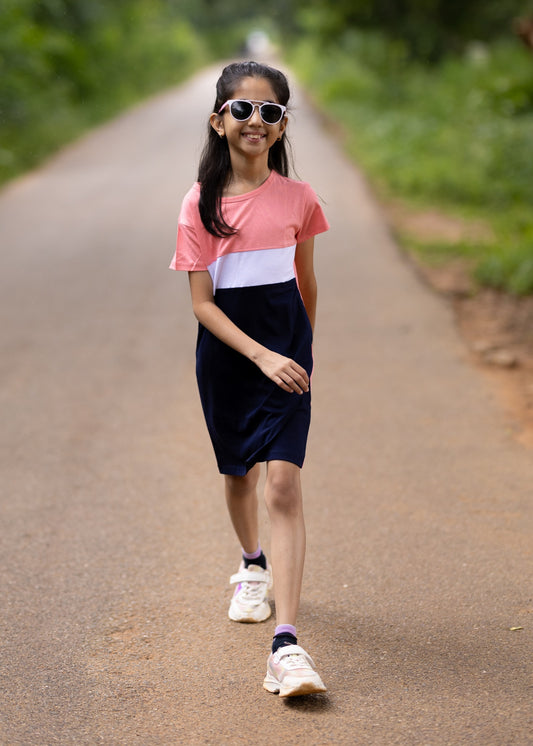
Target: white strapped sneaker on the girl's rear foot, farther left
[250,601]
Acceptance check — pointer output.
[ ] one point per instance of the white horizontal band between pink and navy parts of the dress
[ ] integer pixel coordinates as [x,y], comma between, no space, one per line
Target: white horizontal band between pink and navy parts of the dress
[248,268]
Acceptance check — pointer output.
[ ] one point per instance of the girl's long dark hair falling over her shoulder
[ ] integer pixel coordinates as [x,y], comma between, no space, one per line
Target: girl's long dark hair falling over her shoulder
[215,163]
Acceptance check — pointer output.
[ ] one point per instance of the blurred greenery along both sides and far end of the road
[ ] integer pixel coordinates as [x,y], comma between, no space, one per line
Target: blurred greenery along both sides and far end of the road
[433,98]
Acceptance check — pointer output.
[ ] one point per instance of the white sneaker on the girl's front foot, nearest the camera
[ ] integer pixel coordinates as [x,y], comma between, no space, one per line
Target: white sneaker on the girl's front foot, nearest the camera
[291,672]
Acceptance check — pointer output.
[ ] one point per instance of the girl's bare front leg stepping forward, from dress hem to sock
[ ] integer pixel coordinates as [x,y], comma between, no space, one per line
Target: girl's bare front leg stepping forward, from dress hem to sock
[283,497]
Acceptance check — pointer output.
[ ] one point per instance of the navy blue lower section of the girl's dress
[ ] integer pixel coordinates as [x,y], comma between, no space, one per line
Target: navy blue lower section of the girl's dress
[249,418]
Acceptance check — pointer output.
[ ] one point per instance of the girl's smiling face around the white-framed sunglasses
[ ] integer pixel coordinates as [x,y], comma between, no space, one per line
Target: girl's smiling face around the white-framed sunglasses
[253,137]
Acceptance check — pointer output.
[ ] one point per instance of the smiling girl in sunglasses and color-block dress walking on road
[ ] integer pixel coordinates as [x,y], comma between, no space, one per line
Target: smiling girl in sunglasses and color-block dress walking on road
[246,235]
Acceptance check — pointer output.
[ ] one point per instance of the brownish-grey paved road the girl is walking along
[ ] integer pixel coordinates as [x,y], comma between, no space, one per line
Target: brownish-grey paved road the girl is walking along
[116,548]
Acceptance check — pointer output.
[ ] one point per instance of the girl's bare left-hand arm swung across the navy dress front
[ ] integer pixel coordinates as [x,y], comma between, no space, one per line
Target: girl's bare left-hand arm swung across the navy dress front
[286,373]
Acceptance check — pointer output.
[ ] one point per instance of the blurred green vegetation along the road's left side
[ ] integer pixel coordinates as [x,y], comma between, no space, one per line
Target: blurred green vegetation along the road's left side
[67,65]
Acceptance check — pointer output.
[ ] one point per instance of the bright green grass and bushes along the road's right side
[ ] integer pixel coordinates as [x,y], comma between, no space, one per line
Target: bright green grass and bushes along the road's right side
[457,137]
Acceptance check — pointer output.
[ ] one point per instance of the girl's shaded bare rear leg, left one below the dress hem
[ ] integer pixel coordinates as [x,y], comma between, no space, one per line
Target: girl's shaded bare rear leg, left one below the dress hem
[241,498]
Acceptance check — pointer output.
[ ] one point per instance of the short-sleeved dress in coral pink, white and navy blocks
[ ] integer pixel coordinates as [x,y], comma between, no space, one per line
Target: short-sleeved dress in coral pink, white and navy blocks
[249,418]
